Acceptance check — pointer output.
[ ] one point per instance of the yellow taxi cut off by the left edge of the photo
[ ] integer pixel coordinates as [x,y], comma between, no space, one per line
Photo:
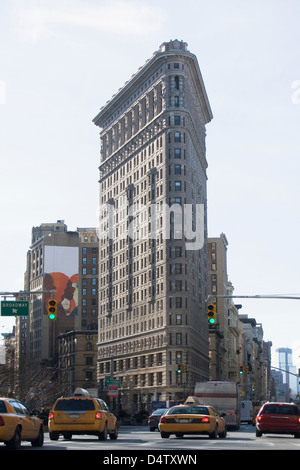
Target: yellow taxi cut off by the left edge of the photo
[18,424]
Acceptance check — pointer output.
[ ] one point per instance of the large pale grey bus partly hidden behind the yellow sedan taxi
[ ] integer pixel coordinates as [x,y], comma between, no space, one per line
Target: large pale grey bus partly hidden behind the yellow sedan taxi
[224,397]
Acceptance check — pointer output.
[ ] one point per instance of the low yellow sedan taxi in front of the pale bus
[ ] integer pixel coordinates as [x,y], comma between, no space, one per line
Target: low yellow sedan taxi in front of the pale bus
[191,419]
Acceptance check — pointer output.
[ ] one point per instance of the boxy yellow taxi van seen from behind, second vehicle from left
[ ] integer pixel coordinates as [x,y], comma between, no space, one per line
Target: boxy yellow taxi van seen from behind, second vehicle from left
[81,415]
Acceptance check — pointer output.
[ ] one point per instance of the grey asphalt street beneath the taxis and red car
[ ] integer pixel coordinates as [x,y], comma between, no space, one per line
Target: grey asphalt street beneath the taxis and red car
[139,438]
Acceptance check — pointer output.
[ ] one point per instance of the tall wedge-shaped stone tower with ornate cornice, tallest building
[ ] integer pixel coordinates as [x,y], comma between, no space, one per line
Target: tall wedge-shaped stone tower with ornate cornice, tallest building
[153,231]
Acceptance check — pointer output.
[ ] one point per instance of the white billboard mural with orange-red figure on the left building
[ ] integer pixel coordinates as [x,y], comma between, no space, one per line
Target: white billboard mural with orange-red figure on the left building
[61,274]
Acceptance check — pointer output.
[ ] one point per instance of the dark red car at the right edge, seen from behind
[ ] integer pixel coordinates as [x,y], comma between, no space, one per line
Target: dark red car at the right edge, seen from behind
[278,418]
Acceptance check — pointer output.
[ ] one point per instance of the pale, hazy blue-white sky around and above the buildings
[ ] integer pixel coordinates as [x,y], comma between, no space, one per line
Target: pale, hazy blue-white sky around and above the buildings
[62,60]
